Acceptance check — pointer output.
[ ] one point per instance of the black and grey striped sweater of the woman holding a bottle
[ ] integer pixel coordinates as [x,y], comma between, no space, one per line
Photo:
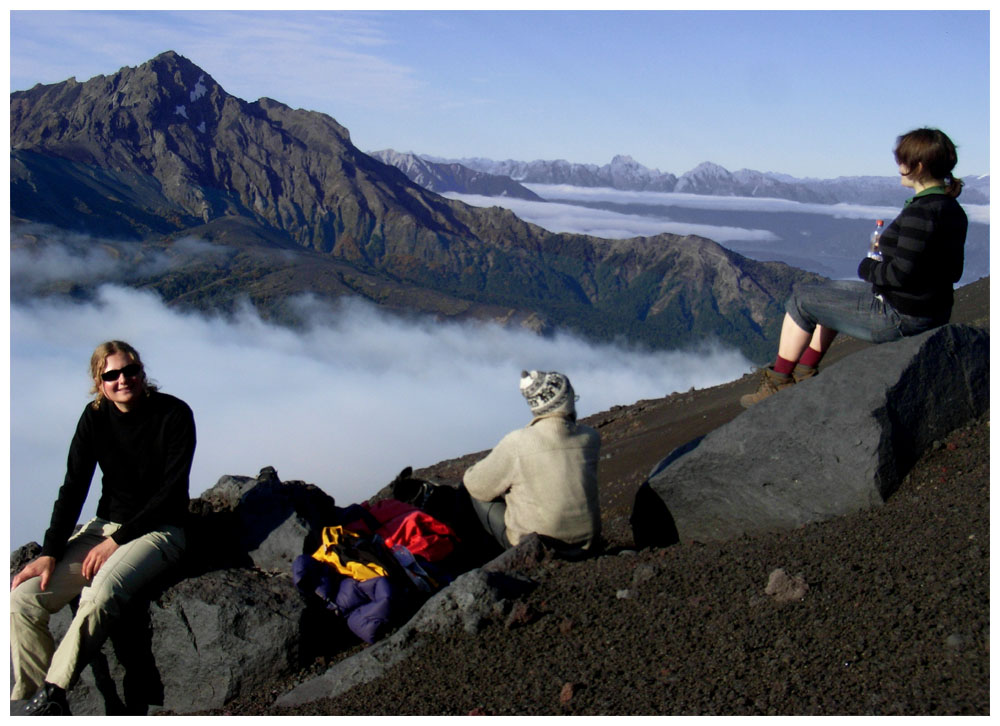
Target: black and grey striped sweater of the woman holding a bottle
[923,253]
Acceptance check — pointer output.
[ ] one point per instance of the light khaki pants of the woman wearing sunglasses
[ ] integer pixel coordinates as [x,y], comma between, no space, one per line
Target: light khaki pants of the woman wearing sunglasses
[33,654]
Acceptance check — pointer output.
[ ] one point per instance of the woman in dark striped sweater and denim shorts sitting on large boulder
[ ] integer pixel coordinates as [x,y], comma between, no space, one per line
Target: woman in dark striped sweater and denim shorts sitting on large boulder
[906,291]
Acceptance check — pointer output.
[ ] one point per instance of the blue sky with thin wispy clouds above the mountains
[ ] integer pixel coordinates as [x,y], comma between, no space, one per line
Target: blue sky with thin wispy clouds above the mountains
[819,94]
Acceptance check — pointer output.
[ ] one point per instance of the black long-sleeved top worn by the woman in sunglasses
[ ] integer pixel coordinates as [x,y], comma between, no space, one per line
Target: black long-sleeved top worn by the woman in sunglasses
[145,456]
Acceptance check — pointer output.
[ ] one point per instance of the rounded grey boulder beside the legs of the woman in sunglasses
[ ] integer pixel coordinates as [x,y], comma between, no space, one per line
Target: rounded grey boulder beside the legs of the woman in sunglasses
[199,645]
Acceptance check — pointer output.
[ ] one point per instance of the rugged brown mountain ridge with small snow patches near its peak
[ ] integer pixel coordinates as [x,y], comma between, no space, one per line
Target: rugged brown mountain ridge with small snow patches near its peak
[161,151]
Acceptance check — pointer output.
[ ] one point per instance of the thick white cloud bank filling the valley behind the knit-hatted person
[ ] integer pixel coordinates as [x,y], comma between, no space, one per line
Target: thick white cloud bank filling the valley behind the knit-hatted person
[344,403]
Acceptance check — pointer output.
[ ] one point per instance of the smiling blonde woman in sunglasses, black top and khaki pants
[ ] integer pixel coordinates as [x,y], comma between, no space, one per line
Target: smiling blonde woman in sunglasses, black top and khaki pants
[144,442]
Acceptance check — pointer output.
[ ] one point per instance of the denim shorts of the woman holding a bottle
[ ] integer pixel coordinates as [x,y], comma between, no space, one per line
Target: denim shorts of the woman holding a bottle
[851,307]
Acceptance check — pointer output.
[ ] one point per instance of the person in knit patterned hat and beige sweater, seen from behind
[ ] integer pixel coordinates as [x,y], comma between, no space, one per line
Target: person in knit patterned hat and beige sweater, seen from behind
[542,478]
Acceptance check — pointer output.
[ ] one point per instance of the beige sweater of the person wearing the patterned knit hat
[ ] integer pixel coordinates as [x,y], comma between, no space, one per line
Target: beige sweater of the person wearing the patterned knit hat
[547,474]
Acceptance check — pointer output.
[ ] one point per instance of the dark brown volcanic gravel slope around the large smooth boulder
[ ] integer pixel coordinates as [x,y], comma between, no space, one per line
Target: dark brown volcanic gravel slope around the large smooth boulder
[894,620]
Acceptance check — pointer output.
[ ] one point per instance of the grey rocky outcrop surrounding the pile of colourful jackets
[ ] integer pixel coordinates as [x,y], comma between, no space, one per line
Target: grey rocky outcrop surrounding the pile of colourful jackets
[229,619]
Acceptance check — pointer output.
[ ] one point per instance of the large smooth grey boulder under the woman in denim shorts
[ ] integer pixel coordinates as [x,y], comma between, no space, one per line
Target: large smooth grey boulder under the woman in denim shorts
[837,443]
